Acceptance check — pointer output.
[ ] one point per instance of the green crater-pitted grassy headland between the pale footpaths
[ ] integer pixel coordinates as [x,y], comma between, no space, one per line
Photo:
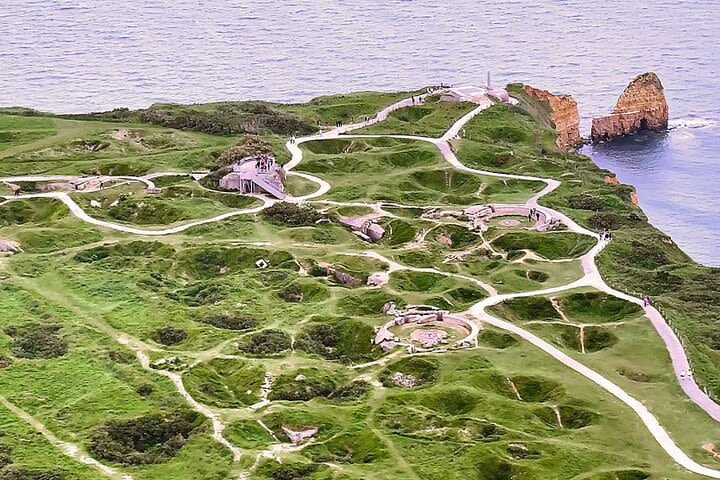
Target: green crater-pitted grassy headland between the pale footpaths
[82,305]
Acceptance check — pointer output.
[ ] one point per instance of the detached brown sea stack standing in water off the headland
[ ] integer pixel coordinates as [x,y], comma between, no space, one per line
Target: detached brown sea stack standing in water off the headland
[642,107]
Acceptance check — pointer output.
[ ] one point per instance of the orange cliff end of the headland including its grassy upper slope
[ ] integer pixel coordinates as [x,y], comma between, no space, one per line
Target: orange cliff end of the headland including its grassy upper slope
[553,110]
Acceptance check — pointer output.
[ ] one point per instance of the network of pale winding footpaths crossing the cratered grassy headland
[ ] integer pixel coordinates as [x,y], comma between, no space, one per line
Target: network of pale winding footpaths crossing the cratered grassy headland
[591,278]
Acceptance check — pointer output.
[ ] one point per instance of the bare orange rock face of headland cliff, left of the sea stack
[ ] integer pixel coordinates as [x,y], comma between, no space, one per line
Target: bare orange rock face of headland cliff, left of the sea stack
[563,113]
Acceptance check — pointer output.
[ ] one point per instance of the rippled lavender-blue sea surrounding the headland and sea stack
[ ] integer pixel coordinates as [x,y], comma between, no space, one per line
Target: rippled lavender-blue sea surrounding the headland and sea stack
[89,55]
